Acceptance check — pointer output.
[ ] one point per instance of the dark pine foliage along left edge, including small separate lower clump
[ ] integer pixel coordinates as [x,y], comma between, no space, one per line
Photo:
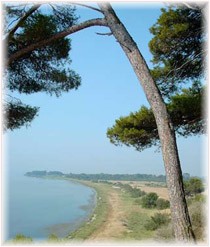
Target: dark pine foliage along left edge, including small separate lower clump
[41,70]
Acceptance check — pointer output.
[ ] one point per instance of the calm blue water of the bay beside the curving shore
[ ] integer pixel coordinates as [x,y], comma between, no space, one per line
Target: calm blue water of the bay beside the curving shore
[39,207]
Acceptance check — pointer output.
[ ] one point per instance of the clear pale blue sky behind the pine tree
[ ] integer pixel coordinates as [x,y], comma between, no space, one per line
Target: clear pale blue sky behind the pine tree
[69,134]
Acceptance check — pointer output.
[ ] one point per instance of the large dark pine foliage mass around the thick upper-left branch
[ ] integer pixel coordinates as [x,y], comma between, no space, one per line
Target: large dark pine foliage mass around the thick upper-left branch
[41,70]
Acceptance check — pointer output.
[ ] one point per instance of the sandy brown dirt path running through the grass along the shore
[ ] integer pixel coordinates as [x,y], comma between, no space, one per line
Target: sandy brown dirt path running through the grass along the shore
[113,226]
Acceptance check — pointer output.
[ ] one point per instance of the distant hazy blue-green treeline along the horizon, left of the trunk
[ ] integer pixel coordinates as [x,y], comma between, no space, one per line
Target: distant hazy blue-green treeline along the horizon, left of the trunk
[101,176]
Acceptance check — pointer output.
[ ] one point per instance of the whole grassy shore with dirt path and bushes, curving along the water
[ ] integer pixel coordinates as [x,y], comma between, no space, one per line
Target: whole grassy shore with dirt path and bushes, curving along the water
[124,212]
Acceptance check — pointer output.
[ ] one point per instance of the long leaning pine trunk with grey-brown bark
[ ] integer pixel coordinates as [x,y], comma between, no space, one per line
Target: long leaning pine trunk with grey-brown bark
[179,211]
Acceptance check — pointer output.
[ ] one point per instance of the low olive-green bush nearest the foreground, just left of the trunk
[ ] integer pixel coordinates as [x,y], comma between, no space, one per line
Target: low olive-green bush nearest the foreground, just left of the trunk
[156,221]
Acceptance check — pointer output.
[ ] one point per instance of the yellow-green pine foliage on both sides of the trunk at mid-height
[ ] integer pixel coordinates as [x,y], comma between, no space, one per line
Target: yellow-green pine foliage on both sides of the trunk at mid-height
[139,129]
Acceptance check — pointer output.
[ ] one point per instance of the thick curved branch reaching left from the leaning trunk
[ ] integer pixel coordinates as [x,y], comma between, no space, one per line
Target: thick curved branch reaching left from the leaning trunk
[70,30]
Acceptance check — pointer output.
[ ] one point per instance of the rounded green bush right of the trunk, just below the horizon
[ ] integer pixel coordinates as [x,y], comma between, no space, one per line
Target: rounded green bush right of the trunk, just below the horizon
[193,186]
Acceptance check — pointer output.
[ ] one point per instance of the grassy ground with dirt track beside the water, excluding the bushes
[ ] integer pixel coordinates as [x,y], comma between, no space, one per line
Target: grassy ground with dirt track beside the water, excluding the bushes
[124,220]
